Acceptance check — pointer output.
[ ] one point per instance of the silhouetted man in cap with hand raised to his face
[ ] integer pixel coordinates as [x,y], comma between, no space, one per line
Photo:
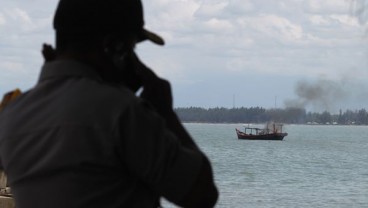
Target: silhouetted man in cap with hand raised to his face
[82,138]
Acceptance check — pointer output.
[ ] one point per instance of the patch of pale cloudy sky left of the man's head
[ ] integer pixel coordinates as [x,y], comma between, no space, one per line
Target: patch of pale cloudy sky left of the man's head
[24,29]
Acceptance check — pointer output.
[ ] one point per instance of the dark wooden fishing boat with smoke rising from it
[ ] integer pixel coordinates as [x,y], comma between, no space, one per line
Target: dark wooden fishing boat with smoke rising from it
[272,131]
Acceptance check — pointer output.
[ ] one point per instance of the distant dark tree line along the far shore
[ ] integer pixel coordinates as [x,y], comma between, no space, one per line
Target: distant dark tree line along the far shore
[262,115]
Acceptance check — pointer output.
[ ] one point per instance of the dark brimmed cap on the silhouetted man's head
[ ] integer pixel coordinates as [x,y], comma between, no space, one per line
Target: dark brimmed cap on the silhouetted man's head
[79,17]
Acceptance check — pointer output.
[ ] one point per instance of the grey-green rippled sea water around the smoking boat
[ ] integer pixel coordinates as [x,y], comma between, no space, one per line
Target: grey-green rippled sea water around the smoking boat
[314,166]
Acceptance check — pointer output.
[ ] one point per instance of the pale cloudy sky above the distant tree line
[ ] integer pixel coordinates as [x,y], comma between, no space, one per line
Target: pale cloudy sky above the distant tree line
[224,53]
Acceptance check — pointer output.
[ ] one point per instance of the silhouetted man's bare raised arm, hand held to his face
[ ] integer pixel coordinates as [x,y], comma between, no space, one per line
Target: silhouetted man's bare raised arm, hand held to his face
[158,92]
